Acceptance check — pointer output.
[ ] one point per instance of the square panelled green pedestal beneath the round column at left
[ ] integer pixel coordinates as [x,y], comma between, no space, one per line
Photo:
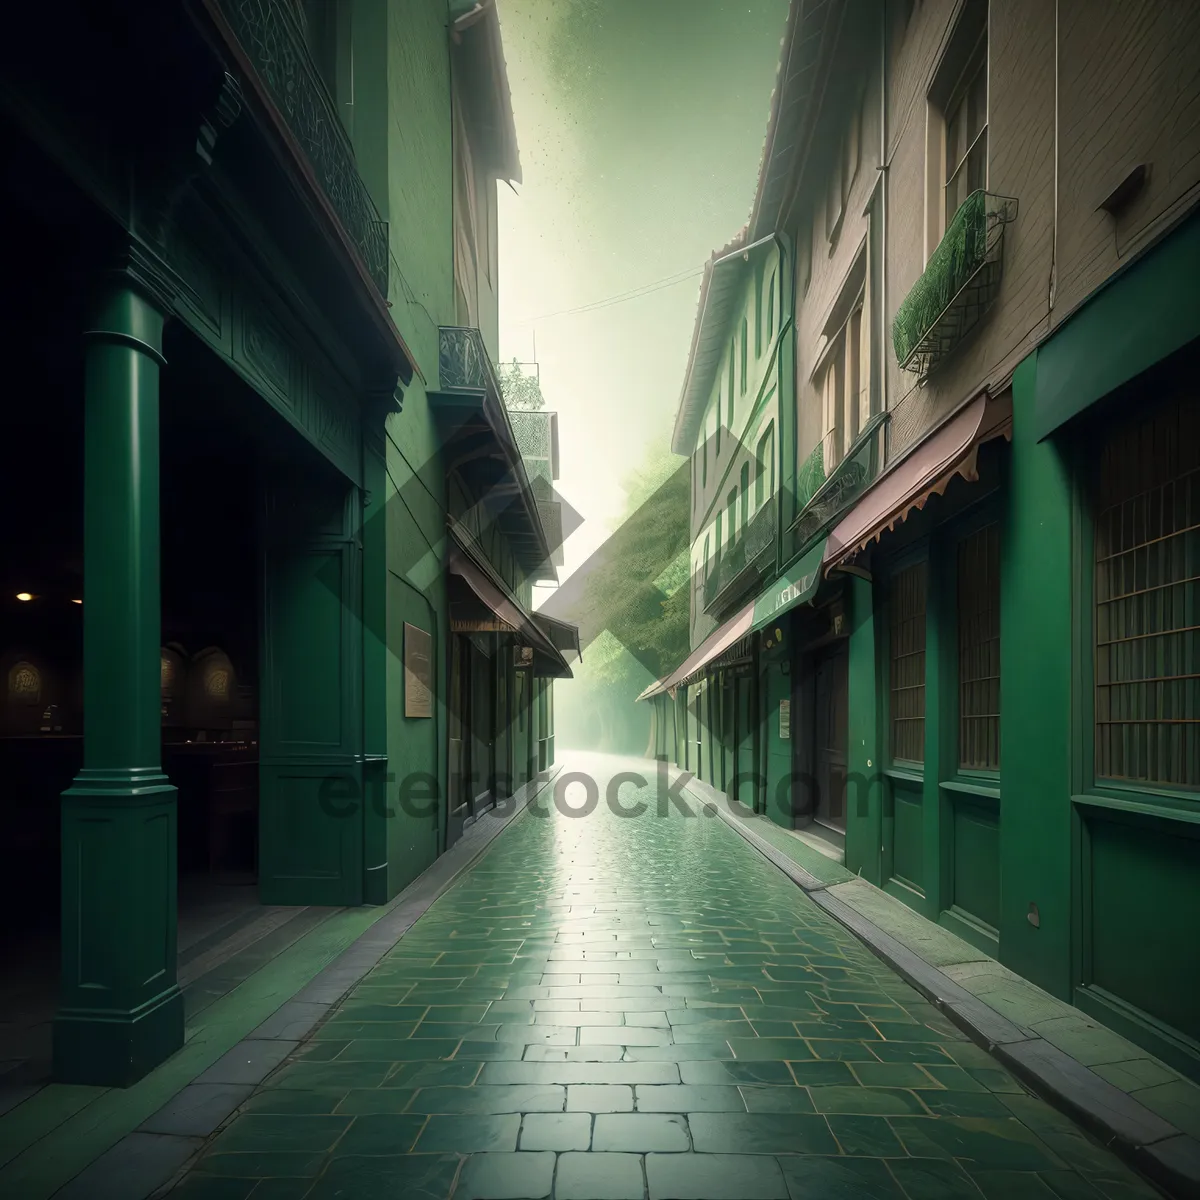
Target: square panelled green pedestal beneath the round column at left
[121,1011]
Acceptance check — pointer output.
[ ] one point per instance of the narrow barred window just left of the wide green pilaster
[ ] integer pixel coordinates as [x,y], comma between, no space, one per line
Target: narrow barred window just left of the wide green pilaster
[980,650]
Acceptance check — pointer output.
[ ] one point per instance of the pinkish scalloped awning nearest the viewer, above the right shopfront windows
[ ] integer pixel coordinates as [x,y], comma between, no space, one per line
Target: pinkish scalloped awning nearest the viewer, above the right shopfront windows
[950,452]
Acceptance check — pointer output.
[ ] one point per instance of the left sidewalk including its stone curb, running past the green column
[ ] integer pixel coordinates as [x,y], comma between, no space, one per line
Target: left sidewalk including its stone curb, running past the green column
[123,1144]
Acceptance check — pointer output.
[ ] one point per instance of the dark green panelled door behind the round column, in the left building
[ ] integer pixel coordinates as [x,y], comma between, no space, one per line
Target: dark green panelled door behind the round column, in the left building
[311,817]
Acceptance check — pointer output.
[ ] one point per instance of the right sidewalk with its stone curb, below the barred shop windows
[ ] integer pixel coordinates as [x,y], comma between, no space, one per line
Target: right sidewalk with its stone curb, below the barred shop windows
[1141,1108]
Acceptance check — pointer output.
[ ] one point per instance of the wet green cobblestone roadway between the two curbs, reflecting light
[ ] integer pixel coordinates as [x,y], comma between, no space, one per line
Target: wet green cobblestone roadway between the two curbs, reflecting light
[611,1007]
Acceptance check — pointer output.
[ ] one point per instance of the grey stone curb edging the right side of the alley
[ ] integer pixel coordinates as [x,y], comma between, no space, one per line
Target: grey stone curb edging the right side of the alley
[1154,1147]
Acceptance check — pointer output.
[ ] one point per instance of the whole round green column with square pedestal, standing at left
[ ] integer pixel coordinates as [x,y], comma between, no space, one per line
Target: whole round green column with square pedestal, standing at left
[121,1012]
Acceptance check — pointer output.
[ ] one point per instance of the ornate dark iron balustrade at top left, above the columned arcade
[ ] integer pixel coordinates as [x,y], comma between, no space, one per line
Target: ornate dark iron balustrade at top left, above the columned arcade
[273,38]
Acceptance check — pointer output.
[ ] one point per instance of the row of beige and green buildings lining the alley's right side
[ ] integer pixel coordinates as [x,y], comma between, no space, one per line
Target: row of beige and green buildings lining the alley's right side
[985,701]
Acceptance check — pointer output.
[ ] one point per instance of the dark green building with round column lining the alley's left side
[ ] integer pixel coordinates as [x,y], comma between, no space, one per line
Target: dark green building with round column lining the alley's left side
[266,356]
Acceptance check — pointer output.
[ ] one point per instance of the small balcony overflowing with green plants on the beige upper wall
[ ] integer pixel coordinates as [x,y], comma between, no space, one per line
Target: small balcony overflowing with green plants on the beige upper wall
[957,287]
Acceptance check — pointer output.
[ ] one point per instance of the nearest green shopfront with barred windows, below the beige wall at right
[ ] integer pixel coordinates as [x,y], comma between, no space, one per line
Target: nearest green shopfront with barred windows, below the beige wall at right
[1024,710]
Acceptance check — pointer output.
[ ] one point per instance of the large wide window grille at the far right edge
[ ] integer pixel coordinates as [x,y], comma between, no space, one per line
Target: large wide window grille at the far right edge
[1148,602]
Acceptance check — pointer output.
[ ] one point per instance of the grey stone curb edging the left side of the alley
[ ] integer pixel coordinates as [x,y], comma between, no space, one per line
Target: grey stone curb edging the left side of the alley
[151,1161]
